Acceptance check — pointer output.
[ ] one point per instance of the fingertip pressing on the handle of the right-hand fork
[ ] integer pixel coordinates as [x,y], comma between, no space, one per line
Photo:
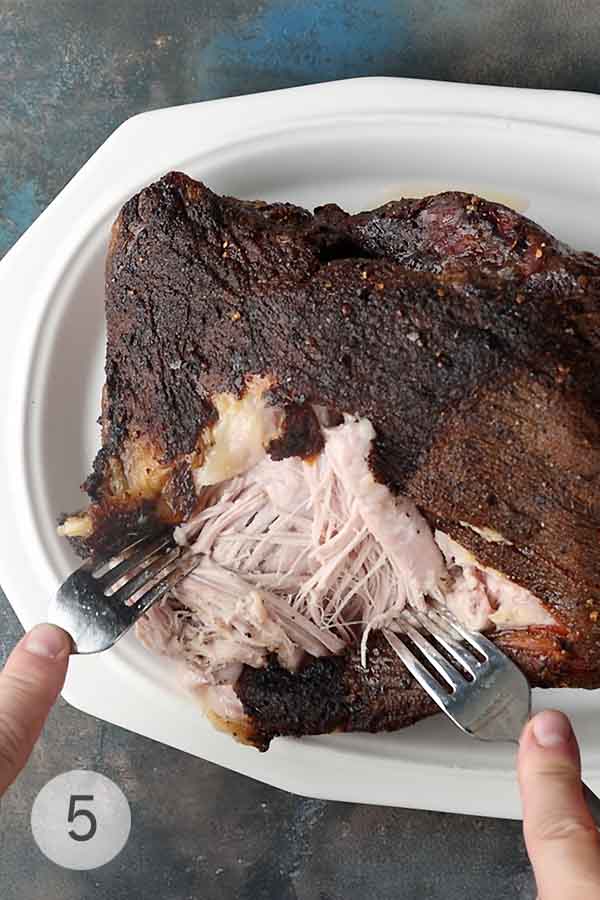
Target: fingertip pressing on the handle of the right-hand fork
[561,838]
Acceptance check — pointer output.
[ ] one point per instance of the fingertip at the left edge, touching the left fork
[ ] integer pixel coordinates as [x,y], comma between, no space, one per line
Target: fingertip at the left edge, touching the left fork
[30,683]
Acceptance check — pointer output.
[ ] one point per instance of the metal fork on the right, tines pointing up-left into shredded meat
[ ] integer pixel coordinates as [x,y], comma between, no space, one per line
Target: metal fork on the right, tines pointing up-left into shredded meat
[483,692]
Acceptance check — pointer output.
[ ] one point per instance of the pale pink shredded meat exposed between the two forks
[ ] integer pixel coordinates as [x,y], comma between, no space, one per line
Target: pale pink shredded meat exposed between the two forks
[307,557]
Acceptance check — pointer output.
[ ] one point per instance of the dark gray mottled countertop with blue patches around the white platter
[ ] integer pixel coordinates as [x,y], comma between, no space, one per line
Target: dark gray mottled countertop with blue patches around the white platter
[70,72]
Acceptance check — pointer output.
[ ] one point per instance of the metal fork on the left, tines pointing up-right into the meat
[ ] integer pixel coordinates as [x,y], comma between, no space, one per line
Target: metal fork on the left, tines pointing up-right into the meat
[103,599]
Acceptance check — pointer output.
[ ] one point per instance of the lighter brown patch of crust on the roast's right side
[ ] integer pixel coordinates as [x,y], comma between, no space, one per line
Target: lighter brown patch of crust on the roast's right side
[529,471]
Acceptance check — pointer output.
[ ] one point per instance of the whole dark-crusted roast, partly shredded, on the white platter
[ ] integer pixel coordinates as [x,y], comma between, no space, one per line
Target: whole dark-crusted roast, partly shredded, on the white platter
[348,416]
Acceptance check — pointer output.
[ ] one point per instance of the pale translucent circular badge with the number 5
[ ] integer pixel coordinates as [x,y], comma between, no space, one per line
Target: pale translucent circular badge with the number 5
[81,820]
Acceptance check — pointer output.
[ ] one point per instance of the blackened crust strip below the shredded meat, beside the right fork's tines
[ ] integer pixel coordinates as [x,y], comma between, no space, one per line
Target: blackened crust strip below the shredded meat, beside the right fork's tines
[332,694]
